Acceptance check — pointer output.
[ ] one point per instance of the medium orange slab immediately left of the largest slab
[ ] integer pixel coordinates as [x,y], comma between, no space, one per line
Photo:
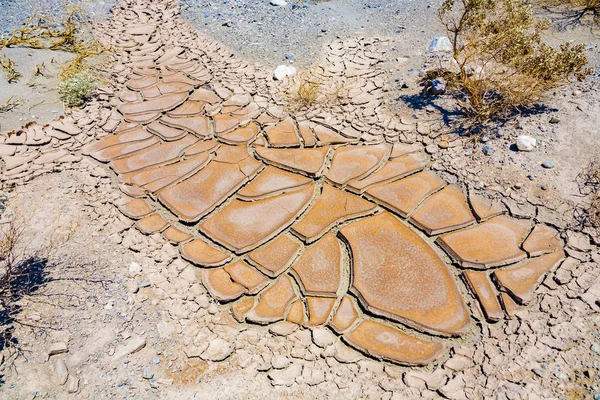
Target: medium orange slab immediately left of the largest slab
[319,269]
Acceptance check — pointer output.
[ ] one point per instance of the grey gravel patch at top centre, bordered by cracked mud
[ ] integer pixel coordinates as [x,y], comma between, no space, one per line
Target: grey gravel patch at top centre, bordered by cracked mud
[266,33]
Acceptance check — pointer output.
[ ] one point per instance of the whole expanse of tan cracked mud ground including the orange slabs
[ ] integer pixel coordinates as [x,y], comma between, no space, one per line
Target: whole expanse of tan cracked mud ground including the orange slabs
[201,236]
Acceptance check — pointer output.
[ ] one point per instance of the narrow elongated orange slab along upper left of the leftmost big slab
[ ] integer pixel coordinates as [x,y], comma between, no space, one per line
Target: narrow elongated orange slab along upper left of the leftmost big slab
[154,179]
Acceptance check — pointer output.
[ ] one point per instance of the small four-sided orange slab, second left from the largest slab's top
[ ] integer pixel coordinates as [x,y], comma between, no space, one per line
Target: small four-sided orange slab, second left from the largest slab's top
[276,256]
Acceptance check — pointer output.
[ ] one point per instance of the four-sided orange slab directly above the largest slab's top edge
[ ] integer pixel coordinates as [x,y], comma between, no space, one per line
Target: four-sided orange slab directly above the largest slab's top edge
[404,196]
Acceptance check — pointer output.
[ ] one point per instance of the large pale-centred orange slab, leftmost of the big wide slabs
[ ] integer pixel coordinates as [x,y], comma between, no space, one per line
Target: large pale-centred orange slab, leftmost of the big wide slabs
[198,195]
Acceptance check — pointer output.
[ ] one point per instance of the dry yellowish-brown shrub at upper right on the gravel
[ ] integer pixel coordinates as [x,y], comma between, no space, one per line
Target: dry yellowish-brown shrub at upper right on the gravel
[501,61]
